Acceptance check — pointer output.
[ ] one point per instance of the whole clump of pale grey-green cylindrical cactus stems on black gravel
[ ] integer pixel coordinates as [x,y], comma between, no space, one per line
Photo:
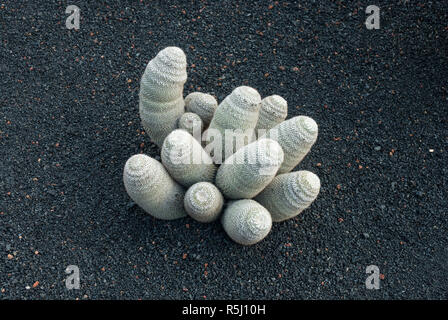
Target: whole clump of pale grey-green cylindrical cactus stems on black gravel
[212,163]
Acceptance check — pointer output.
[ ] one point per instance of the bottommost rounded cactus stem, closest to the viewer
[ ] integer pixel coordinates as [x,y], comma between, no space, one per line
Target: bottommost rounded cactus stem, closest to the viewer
[246,221]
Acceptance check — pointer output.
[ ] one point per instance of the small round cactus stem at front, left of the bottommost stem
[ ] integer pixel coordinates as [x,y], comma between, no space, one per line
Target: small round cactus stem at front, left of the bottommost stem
[203,202]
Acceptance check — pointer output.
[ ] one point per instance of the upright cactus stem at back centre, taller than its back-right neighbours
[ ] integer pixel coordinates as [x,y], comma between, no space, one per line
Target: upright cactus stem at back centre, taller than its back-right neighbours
[238,111]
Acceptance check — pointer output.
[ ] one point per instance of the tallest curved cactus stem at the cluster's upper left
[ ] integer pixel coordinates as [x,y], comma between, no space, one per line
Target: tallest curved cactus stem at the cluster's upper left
[161,100]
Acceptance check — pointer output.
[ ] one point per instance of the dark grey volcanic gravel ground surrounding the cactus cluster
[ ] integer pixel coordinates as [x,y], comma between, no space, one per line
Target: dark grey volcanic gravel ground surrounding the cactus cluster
[69,121]
